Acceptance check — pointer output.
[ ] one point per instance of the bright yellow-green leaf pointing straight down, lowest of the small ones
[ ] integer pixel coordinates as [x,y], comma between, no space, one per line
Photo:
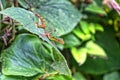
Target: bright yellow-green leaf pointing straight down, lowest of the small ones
[79,55]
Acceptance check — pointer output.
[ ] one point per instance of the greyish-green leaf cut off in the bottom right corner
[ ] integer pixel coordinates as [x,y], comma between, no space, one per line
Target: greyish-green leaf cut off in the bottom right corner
[112,76]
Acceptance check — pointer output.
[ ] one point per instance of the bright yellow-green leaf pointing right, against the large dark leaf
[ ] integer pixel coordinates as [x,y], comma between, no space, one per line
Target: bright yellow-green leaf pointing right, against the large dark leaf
[95,49]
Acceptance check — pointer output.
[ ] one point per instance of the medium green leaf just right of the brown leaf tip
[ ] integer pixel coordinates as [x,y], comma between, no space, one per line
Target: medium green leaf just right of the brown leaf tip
[71,40]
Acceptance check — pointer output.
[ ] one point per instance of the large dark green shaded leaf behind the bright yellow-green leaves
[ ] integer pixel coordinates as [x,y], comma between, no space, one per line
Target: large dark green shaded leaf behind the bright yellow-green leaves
[108,42]
